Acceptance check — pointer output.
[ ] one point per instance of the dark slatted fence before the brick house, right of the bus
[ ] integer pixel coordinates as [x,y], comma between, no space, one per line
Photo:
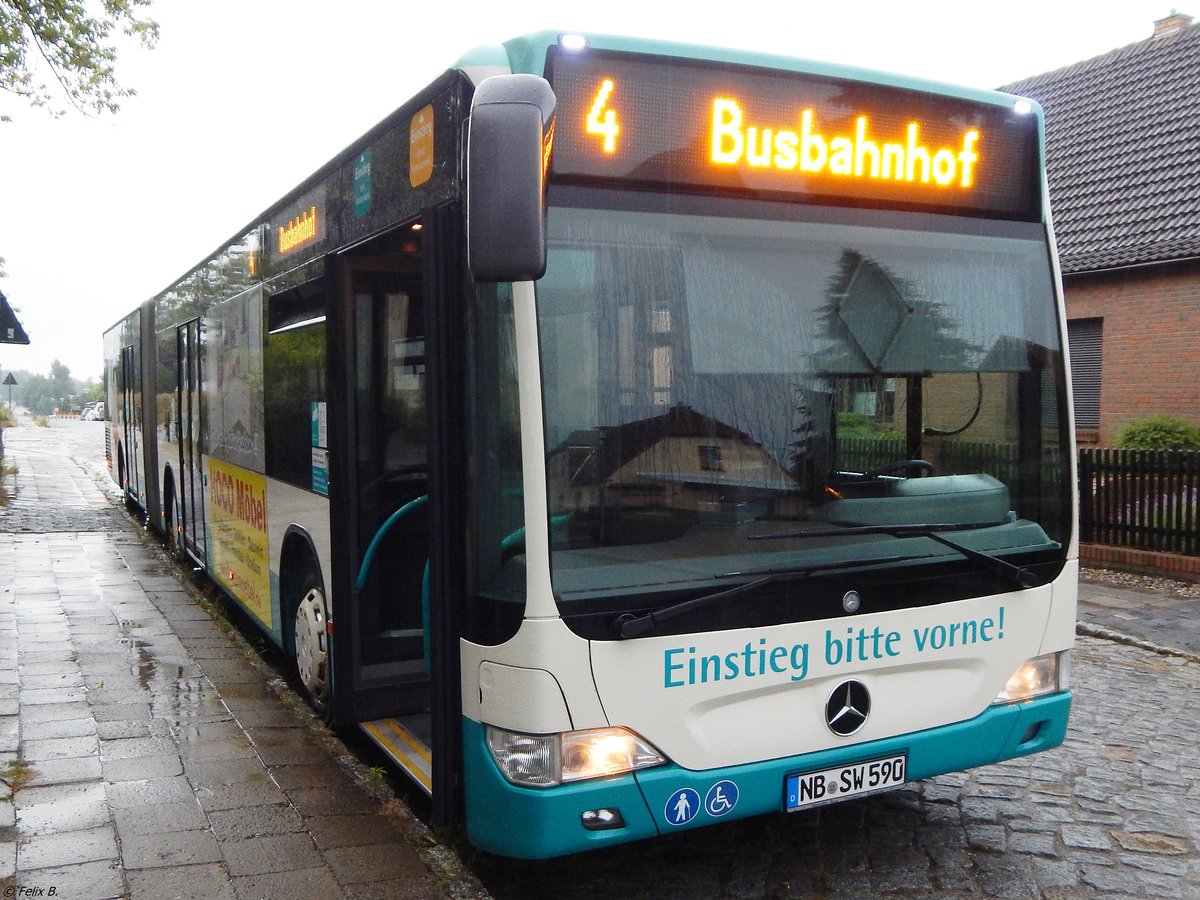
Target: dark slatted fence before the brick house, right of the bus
[1149,500]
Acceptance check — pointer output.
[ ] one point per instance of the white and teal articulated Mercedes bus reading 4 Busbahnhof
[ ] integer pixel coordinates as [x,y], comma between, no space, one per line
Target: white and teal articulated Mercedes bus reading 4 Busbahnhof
[633,439]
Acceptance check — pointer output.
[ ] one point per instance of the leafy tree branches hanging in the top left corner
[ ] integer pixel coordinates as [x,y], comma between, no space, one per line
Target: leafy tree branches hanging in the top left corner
[67,43]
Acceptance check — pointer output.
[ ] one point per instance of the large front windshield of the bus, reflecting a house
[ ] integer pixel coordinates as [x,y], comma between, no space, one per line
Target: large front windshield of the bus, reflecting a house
[784,389]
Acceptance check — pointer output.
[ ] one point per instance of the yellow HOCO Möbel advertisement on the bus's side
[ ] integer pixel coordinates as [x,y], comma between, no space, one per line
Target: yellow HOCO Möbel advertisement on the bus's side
[238,537]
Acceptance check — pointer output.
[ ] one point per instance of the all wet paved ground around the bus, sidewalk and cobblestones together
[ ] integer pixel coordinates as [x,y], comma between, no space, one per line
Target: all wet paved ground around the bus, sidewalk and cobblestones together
[148,757]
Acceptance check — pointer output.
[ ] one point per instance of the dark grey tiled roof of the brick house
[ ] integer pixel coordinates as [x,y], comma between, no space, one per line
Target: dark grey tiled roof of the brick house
[1124,153]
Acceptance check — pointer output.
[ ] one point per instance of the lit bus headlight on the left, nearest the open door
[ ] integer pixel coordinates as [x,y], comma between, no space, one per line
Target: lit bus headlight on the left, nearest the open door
[547,760]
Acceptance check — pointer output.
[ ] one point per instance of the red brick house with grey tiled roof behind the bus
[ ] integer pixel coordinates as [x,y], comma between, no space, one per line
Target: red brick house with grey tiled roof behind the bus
[1124,160]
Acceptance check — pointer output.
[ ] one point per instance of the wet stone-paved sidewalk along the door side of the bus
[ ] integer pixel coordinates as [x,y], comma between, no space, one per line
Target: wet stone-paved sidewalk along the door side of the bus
[143,754]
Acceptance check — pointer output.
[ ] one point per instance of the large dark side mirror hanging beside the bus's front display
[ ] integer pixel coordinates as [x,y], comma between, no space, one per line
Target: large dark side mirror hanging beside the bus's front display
[508,149]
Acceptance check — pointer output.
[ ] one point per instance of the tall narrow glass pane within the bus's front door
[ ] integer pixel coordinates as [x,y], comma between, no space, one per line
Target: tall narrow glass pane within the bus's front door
[392,459]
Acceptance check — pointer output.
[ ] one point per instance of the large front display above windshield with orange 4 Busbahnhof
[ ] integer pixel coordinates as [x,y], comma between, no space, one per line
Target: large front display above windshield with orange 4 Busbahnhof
[658,122]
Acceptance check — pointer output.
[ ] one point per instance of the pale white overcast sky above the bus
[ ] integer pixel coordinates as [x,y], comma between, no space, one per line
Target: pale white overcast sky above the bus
[244,99]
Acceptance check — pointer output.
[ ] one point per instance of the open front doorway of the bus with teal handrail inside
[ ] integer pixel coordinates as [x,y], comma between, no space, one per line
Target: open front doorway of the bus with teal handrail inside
[387,507]
